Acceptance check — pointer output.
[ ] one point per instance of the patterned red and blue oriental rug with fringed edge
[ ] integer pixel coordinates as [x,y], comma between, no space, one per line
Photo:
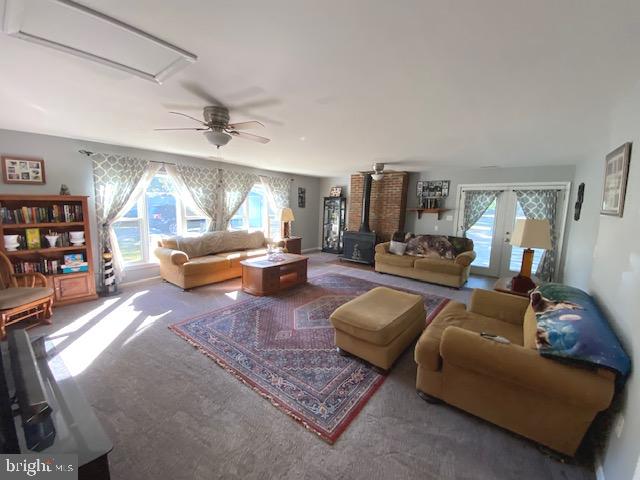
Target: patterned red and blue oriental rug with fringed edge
[283,347]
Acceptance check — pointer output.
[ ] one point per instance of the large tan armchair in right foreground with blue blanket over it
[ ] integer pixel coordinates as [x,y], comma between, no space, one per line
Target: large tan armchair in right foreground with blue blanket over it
[510,385]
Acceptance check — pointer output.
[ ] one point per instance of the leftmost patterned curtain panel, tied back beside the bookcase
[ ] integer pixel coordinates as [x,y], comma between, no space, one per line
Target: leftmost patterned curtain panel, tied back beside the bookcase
[118,181]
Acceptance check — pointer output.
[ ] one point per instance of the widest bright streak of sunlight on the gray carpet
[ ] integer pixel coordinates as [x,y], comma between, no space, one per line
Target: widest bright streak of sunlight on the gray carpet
[88,346]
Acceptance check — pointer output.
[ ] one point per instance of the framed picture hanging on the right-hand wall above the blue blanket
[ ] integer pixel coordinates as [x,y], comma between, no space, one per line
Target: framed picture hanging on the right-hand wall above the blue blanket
[616,171]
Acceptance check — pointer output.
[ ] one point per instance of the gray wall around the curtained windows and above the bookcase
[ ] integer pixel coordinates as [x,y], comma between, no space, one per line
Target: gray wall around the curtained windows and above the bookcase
[63,164]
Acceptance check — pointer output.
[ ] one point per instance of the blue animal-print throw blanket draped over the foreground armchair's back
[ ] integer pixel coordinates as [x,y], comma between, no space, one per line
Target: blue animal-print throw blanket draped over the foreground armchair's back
[572,327]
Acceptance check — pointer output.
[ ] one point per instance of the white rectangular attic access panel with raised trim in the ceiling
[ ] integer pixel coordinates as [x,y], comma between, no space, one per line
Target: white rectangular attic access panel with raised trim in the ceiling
[86,33]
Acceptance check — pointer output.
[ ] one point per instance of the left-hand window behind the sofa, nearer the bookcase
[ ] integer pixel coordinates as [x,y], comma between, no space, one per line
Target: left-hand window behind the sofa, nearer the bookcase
[160,212]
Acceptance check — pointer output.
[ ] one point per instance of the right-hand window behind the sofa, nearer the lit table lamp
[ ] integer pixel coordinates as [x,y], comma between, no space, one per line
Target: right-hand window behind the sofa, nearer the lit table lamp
[256,214]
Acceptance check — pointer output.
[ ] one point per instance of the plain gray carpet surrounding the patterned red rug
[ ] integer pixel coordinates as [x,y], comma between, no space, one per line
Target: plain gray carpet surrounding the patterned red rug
[173,413]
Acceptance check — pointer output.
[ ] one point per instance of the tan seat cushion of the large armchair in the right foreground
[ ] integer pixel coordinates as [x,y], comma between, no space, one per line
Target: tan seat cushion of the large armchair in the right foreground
[455,314]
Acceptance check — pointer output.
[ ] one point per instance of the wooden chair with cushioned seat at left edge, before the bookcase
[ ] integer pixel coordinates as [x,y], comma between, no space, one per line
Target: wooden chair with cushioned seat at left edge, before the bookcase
[22,296]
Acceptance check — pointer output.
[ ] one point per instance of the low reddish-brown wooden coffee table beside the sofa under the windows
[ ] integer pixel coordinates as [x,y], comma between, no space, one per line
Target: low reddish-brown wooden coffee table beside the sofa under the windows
[261,276]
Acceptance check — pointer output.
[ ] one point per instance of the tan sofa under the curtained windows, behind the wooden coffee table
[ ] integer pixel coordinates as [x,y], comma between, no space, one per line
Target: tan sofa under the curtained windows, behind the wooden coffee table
[190,262]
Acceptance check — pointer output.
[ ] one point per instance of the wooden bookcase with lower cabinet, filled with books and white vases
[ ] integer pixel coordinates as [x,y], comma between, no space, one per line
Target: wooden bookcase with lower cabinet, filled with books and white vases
[69,287]
